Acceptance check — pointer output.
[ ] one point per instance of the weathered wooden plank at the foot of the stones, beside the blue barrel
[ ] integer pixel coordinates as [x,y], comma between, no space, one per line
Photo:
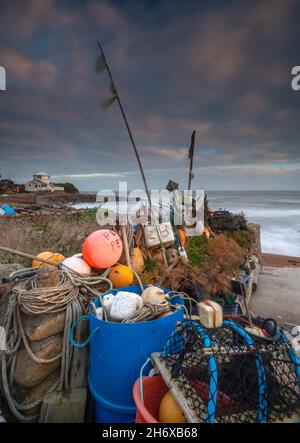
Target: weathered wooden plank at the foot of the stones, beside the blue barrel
[64,407]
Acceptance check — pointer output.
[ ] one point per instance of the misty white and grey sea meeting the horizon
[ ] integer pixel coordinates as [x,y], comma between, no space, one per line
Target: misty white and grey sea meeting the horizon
[277,212]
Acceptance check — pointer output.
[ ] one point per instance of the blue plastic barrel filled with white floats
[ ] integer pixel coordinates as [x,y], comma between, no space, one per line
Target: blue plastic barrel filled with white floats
[117,353]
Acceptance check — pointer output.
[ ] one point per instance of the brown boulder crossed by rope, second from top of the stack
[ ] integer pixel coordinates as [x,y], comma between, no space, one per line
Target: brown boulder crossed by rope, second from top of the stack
[28,373]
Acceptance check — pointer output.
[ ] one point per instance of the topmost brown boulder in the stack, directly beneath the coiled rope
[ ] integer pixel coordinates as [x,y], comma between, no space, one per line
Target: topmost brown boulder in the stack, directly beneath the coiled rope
[42,326]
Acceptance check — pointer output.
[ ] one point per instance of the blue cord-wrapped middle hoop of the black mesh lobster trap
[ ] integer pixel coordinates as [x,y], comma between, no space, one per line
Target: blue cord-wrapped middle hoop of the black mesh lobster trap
[262,384]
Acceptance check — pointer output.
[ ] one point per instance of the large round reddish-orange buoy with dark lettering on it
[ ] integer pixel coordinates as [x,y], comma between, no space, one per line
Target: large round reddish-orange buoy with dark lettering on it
[102,248]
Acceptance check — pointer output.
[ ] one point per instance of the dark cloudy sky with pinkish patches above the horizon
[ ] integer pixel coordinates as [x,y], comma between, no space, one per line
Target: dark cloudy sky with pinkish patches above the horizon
[222,68]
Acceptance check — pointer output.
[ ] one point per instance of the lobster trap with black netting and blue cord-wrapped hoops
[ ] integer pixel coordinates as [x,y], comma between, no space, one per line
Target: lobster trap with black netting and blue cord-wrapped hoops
[225,375]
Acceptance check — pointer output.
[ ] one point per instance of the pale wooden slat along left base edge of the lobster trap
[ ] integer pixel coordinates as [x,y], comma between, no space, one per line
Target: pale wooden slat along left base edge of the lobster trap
[177,394]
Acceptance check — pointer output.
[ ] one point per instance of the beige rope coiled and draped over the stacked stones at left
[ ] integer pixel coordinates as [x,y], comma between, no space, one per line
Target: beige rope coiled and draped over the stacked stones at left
[71,295]
